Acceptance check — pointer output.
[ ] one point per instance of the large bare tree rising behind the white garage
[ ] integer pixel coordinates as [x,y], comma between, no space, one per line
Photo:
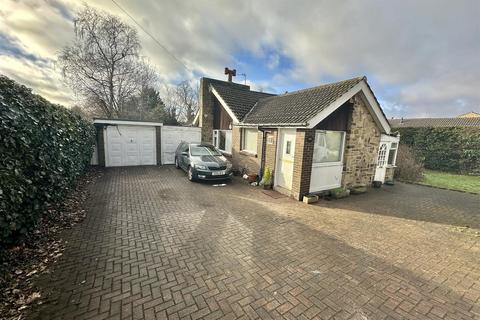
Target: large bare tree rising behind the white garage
[103,64]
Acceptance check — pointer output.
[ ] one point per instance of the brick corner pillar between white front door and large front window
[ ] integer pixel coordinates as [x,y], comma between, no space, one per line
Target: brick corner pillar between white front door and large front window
[302,166]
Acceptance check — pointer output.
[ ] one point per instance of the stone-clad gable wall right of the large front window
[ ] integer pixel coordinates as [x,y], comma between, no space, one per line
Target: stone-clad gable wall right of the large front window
[361,146]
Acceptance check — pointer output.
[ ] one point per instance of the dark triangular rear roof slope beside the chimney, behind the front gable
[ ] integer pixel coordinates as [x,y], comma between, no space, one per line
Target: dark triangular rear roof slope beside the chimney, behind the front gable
[238,100]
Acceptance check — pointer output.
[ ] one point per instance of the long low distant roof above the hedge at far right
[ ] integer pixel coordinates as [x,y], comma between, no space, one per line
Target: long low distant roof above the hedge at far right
[434,122]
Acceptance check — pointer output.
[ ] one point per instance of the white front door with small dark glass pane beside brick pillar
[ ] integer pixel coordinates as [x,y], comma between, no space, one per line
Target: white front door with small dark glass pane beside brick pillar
[285,158]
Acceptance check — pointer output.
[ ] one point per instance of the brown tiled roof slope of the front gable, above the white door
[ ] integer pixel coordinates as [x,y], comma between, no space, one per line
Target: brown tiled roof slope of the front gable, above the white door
[298,107]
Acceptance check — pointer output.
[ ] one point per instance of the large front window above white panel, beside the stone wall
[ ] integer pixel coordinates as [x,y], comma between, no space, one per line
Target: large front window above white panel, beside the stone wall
[328,146]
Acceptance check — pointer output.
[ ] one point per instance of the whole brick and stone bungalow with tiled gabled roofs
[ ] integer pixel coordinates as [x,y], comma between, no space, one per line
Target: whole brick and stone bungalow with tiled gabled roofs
[316,139]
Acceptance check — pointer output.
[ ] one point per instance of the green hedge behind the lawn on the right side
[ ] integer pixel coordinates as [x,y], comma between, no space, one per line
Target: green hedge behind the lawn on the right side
[453,149]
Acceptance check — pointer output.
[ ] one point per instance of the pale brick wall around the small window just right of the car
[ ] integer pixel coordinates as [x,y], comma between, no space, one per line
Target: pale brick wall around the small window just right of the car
[242,160]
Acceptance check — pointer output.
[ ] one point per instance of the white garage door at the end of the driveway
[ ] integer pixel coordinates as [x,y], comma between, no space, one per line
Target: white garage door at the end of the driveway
[130,146]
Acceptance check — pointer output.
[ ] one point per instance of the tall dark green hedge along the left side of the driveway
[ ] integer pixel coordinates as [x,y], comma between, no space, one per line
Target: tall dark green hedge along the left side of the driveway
[44,148]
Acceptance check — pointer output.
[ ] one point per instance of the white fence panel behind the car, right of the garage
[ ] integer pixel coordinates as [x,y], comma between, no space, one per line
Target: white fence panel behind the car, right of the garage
[171,138]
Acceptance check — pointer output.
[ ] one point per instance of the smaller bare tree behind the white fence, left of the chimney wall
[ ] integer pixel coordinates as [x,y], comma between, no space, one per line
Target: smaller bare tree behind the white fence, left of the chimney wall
[181,101]
